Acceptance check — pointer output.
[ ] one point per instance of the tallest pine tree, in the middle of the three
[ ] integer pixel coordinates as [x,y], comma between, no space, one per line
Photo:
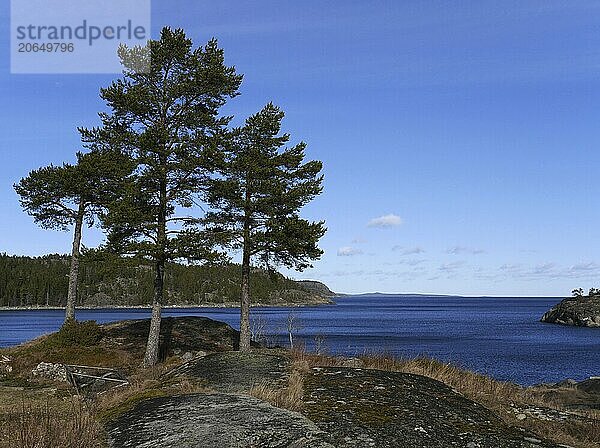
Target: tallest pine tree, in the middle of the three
[165,119]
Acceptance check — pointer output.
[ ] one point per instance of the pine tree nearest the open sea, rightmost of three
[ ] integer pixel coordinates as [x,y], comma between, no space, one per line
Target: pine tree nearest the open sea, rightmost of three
[256,199]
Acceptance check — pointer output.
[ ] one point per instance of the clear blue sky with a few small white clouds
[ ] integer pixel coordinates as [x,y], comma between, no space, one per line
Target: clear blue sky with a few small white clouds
[460,139]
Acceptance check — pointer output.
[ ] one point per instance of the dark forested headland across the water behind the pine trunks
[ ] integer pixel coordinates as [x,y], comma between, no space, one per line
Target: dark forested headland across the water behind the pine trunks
[26,281]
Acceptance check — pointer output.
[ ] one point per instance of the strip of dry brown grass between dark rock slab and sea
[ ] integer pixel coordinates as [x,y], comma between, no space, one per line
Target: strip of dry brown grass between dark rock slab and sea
[496,395]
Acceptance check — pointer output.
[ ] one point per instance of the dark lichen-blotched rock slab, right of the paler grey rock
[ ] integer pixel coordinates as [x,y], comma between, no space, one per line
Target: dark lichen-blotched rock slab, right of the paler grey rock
[373,408]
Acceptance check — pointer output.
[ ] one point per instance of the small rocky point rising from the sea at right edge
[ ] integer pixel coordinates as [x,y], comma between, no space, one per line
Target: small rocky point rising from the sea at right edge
[581,311]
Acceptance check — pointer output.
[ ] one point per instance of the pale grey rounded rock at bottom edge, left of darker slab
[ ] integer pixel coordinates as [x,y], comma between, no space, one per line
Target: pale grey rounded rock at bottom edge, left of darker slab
[213,421]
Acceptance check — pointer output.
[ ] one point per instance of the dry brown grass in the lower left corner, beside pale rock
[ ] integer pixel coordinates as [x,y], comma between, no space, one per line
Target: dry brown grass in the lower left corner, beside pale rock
[49,417]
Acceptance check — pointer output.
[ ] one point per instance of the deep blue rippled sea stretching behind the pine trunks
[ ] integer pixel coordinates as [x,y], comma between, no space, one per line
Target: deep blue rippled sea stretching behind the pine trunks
[499,336]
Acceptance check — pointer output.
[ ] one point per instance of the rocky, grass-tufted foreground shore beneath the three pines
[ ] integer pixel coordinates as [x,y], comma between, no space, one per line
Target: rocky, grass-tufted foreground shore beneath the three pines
[207,394]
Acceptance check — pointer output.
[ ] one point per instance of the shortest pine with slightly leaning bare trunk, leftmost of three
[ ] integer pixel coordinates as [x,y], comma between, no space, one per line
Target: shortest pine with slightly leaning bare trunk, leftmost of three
[61,197]
